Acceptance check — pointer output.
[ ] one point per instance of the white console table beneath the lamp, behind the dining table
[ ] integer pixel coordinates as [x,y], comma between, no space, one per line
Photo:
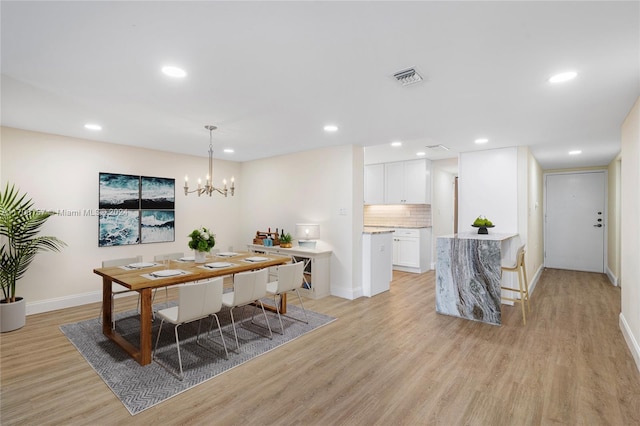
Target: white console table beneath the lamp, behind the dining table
[316,279]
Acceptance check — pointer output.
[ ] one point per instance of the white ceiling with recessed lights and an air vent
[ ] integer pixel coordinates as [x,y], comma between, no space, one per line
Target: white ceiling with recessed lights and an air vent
[270,75]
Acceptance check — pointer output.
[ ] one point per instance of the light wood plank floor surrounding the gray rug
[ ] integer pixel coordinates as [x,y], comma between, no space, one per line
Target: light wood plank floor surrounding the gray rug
[387,360]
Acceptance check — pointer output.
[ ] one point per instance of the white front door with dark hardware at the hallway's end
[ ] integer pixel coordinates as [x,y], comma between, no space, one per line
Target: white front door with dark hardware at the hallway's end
[575,221]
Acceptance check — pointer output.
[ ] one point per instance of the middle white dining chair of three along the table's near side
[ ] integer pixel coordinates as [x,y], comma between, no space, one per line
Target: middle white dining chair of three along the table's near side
[248,287]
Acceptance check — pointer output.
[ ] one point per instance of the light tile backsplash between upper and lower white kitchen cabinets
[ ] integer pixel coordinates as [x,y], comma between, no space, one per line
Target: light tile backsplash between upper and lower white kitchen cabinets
[408,215]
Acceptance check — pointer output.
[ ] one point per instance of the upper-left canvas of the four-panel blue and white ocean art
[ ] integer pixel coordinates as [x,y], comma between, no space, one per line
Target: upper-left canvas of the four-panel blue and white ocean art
[119,191]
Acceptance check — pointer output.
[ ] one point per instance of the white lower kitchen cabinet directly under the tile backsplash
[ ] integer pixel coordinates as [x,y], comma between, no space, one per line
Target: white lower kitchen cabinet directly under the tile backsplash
[412,249]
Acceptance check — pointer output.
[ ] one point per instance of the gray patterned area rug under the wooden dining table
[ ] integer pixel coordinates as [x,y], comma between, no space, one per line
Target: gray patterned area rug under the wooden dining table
[141,387]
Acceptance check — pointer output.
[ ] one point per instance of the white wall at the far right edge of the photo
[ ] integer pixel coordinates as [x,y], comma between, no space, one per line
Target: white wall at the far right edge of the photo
[630,232]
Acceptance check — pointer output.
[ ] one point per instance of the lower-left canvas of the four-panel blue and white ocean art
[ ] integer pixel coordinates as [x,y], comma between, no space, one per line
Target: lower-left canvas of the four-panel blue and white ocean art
[119,227]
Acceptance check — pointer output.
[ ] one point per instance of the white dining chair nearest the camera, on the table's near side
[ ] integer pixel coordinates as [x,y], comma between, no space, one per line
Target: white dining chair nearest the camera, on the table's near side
[196,301]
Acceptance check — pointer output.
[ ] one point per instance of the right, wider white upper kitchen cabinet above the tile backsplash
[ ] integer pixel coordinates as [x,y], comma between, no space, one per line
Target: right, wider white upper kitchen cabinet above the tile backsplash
[407,182]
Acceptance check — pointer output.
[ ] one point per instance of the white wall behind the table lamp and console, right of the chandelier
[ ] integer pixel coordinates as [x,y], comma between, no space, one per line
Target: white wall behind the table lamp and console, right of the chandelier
[312,187]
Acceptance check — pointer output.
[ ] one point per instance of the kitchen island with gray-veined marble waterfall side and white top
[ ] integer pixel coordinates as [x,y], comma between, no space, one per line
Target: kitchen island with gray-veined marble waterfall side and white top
[469,276]
